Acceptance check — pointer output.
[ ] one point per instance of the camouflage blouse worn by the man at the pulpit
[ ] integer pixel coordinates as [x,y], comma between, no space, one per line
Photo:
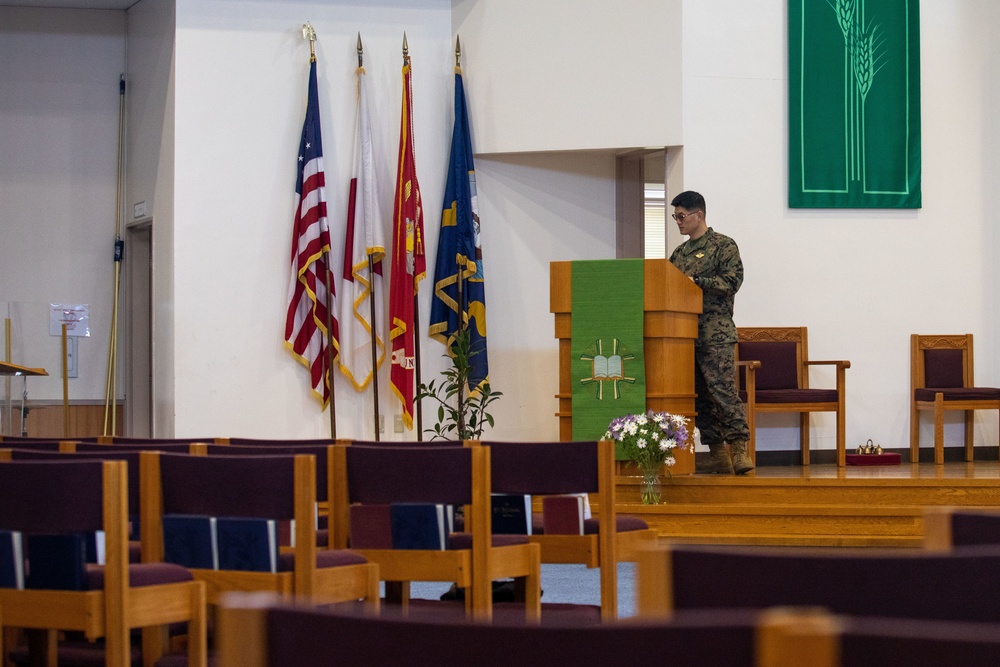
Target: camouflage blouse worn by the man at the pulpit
[715,260]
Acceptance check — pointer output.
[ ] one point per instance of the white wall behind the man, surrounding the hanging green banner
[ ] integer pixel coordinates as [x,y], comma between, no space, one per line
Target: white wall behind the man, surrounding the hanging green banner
[861,280]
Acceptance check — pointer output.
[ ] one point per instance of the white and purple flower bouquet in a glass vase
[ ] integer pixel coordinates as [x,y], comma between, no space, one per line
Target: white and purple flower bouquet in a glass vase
[648,440]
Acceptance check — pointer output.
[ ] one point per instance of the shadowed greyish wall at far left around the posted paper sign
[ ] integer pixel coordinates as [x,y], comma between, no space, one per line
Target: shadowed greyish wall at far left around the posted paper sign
[59,74]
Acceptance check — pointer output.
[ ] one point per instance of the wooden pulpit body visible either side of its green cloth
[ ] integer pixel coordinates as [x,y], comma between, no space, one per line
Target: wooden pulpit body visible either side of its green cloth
[671,305]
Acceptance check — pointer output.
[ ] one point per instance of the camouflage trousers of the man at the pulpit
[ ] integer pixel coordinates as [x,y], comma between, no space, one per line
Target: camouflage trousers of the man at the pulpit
[721,417]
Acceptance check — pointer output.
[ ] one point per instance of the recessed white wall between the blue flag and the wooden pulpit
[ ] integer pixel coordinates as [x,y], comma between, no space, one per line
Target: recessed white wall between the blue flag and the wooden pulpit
[536,209]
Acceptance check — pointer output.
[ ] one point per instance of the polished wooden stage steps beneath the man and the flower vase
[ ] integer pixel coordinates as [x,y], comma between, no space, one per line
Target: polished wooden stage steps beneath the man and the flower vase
[819,505]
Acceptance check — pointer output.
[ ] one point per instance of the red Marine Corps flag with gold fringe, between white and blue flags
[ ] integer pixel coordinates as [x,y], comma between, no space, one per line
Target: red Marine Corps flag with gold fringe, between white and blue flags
[408,263]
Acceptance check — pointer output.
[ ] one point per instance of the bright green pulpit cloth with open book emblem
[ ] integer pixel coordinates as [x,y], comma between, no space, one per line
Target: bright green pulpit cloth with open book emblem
[608,368]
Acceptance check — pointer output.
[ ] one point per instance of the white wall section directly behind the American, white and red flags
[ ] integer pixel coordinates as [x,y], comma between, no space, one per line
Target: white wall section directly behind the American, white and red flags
[241,80]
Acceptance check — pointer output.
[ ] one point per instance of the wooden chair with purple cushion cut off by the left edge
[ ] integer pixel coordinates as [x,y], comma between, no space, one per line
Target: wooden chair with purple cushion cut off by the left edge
[83,496]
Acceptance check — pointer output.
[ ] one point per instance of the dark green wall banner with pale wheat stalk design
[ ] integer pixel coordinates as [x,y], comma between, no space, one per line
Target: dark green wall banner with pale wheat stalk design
[854,103]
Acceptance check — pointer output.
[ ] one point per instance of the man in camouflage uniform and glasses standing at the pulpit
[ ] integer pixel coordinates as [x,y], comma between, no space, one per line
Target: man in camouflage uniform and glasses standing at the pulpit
[713,262]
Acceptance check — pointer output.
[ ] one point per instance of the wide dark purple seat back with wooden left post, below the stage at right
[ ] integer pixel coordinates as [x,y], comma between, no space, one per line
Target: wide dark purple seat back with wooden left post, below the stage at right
[956,586]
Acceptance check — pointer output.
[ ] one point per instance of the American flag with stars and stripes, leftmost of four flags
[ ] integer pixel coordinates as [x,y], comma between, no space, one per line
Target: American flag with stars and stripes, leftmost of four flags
[306,321]
